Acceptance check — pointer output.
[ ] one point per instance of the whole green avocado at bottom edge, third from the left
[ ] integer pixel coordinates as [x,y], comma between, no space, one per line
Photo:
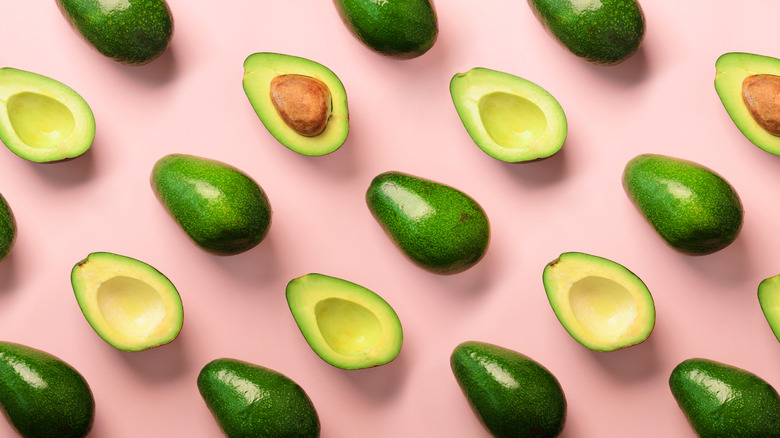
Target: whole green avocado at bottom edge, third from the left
[511,394]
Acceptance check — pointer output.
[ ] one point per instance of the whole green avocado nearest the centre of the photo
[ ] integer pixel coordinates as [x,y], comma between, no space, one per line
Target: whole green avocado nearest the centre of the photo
[438,227]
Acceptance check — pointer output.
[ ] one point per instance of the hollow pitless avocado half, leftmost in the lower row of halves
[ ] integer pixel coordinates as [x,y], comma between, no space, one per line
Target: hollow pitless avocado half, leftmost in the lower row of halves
[130,304]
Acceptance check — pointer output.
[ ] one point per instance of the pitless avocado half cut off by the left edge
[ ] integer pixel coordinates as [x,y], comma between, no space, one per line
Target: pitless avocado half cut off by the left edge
[42,119]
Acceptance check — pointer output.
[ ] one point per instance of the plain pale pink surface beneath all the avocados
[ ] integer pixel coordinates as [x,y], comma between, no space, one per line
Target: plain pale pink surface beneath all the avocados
[191,101]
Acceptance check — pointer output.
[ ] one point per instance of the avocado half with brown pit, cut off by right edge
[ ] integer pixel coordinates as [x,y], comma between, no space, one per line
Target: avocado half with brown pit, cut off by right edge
[748,86]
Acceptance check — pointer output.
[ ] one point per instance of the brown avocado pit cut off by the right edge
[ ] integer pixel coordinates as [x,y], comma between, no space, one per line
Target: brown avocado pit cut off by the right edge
[761,94]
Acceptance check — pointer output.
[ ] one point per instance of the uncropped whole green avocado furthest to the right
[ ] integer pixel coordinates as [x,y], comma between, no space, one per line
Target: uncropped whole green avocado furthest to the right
[694,209]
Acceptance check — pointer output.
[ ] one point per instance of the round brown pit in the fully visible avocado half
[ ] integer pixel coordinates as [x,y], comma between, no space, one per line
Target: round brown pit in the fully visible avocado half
[303,103]
